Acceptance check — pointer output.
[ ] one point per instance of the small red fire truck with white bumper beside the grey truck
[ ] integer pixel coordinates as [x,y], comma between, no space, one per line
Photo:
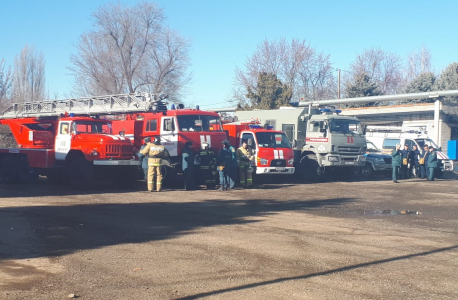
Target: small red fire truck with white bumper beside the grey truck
[272,148]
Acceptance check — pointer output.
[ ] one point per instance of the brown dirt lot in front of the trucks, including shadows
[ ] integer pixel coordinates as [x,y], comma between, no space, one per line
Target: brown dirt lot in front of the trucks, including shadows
[334,240]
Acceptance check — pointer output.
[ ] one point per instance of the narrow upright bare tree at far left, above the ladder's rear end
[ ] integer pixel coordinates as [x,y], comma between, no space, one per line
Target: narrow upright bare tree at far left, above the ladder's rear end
[29,76]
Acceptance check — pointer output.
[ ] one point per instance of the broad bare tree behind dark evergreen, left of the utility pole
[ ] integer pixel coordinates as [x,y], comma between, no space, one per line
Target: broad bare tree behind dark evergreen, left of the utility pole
[306,72]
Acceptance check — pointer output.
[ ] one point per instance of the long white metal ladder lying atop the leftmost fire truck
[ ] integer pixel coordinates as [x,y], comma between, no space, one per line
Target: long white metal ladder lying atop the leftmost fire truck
[99,105]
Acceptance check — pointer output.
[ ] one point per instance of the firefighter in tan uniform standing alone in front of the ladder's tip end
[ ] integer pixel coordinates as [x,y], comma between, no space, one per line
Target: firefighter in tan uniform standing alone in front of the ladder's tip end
[156,153]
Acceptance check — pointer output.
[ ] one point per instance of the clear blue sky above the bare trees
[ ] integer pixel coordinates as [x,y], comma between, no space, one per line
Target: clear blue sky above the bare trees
[224,33]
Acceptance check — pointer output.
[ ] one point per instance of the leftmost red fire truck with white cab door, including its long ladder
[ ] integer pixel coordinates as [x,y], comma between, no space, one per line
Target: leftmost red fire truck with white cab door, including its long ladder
[61,140]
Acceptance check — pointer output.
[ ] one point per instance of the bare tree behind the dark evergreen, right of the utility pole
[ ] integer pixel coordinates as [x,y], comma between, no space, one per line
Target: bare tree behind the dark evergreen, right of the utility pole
[382,68]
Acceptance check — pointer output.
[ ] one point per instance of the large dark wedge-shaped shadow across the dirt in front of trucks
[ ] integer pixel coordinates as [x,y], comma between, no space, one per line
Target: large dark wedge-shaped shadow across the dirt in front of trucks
[39,231]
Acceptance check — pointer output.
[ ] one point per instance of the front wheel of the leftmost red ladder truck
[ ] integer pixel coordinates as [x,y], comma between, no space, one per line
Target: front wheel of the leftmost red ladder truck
[80,173]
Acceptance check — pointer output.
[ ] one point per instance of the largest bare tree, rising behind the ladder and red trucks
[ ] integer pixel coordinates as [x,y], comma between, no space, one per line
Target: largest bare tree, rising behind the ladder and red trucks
[130,50]
